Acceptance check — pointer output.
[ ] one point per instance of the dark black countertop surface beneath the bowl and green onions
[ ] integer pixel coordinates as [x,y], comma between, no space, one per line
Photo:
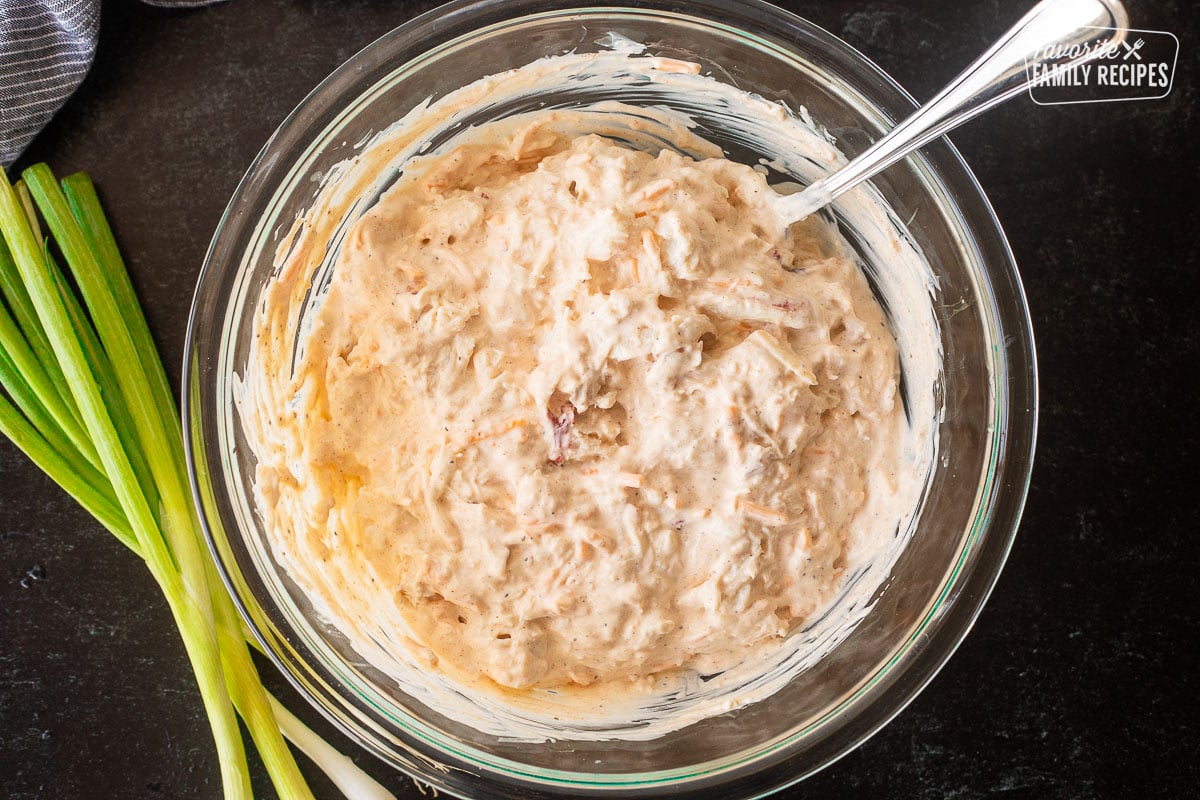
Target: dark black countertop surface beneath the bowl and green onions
[1079,679]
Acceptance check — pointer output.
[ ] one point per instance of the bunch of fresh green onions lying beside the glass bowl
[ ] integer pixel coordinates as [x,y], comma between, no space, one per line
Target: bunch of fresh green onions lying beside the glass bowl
[87,399]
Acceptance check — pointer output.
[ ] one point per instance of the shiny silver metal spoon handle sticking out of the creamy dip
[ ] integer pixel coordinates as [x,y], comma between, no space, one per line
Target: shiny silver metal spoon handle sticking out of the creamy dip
[994,77]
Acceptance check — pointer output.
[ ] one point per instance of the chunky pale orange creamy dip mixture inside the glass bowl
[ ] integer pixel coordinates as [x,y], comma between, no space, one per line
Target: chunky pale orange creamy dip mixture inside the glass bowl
[574,414]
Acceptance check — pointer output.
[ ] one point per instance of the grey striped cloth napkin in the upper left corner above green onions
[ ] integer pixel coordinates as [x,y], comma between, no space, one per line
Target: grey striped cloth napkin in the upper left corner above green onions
[46,49]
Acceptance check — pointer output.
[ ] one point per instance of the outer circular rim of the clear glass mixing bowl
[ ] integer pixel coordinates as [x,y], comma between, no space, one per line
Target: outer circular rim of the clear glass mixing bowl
[985,231]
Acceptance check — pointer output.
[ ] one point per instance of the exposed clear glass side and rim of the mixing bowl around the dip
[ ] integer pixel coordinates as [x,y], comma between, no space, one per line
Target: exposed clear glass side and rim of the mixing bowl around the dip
[973,503]
